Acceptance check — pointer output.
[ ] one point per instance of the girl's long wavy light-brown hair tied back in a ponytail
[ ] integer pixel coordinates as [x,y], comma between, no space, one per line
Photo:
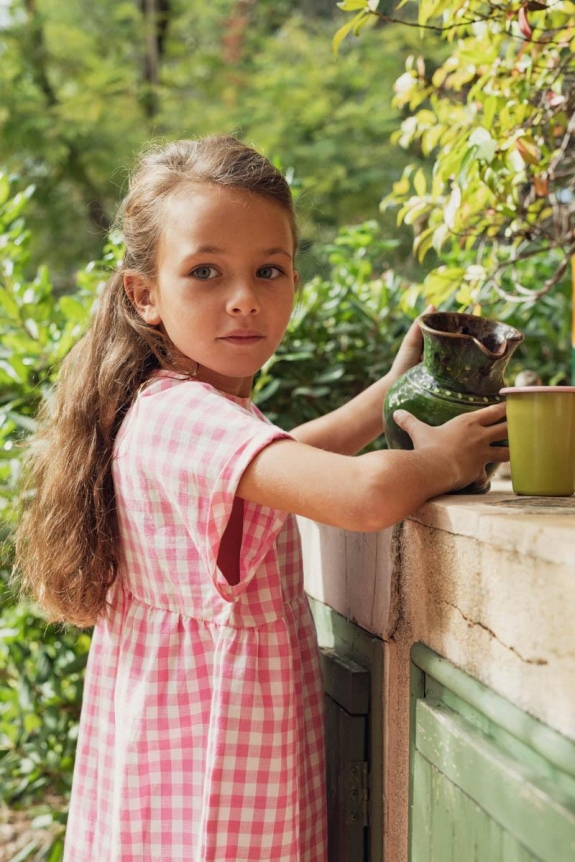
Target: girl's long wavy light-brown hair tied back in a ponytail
[67,543]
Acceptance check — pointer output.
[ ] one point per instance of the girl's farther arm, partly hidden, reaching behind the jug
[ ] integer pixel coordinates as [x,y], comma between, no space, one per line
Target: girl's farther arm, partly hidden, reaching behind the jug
[353,426]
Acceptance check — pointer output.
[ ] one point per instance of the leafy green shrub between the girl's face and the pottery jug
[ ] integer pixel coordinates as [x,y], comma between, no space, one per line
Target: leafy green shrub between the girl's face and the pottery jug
[345,331]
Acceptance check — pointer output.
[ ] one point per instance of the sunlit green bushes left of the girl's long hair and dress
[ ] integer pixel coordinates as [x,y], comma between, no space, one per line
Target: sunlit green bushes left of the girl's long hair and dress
[41,666]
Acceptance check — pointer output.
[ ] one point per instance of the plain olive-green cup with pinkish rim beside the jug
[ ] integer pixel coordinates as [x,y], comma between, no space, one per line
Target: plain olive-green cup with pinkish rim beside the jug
[541,431]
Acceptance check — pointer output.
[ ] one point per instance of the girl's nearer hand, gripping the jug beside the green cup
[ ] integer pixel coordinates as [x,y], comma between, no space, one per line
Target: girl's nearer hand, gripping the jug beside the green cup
[463,445]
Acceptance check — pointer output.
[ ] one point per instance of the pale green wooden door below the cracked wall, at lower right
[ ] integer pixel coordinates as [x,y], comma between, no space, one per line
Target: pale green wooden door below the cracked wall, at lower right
[483,791]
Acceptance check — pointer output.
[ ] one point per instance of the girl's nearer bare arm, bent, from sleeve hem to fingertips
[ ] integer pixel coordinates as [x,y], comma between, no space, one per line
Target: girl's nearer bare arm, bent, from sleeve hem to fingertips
[378,489]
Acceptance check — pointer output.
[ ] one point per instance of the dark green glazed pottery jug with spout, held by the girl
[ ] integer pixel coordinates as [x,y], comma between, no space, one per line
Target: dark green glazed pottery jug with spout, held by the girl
[464,360]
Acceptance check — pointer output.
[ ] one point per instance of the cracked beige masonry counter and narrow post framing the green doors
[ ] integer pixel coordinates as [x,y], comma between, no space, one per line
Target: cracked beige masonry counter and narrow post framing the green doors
[487,582]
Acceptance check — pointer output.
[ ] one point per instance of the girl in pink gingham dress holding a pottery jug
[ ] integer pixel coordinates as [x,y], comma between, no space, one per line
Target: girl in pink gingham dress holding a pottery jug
[161,515]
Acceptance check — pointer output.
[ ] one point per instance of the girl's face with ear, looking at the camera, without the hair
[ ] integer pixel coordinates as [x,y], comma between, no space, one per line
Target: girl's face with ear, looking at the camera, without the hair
[225,282]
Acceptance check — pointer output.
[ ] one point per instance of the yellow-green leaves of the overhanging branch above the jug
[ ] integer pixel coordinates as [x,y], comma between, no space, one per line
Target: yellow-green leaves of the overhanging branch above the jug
[496,119]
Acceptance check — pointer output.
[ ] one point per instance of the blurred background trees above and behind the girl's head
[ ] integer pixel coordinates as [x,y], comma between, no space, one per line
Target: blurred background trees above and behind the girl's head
[78,99]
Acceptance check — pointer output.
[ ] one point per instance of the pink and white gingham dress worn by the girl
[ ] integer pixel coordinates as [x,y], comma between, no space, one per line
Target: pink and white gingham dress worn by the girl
[201,735]
